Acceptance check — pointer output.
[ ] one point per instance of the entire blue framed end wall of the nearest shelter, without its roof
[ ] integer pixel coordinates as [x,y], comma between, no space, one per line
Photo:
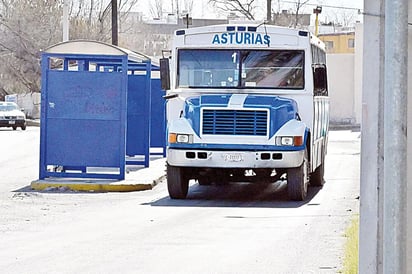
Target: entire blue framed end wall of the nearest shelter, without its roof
[83,119]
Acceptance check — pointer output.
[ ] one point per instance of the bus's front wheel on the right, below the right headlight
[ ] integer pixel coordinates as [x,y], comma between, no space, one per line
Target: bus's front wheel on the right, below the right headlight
[298,180]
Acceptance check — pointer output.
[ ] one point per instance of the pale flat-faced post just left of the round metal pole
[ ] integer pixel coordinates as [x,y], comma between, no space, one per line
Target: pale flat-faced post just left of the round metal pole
[371,184]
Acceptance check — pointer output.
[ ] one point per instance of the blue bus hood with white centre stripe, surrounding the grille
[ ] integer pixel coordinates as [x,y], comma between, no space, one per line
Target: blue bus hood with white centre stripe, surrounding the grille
[280,109]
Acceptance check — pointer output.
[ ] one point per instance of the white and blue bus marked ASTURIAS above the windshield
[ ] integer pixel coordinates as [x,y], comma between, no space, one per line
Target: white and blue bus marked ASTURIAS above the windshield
[246,103]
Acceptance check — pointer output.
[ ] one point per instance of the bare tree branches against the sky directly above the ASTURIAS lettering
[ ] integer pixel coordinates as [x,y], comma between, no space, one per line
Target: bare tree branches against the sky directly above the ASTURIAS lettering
[243,7]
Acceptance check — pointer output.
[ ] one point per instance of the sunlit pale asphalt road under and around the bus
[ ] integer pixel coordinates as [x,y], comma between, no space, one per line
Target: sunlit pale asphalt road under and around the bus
[240,228]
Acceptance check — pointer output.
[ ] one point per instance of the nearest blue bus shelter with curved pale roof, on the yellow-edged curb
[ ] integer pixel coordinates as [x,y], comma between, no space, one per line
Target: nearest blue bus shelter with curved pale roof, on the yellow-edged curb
[87,88]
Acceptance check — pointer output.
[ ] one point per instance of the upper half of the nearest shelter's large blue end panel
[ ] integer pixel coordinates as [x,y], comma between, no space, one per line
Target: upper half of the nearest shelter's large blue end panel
[84,95]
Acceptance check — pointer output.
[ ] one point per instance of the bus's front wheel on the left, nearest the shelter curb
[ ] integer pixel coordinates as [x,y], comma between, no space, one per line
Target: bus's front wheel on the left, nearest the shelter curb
[177,182]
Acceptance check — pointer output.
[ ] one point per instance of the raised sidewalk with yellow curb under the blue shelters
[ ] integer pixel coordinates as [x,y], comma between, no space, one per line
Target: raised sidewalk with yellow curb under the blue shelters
[140,179]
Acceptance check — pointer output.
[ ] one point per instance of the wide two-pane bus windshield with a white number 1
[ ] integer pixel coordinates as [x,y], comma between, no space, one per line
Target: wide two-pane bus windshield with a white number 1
[206,68]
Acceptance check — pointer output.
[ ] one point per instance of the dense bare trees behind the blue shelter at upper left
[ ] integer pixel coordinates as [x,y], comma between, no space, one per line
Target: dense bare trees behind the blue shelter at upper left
[28,26]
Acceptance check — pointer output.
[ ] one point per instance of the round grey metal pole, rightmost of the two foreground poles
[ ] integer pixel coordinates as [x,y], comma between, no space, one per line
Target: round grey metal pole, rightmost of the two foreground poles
[395,137]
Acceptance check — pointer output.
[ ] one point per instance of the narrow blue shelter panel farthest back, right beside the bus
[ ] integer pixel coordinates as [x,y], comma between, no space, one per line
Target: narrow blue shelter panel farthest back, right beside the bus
[157,125]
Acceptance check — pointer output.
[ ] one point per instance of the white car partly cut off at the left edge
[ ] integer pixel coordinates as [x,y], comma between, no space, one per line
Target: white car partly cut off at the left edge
[12,116]
